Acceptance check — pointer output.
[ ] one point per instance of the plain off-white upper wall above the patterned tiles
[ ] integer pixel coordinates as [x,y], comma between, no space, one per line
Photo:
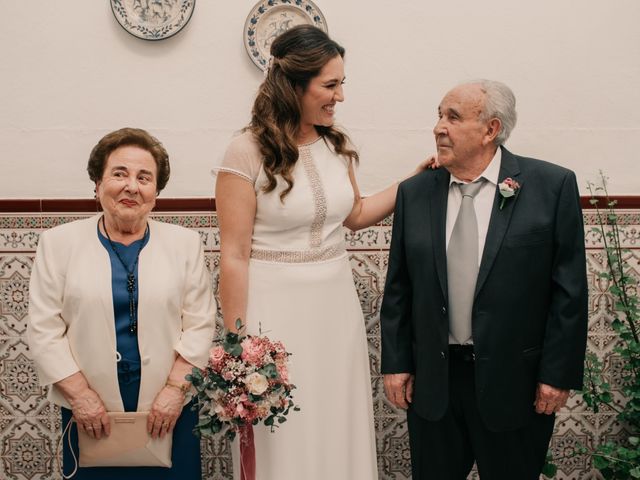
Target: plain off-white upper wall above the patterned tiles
[69,74]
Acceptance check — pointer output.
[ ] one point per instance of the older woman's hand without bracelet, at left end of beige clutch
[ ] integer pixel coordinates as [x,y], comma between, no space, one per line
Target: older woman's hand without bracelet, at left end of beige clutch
[88,410]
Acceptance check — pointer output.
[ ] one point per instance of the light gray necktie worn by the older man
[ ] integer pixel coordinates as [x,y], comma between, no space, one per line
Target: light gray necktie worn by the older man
[462,264]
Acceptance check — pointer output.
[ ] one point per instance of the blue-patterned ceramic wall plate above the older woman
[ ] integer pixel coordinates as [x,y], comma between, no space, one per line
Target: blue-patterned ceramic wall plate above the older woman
[153,19]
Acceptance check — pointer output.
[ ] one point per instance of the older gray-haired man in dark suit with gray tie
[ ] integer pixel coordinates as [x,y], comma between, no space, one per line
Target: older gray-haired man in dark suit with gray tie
[484,318]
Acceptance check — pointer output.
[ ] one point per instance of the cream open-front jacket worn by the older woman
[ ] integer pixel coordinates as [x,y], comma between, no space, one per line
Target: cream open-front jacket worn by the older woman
[71,324]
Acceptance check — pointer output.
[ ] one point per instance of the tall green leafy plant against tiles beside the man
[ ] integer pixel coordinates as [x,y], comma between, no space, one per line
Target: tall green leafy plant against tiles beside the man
[617,458]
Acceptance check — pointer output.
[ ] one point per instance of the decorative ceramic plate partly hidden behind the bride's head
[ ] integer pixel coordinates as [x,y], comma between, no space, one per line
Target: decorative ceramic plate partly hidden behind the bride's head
[270,18]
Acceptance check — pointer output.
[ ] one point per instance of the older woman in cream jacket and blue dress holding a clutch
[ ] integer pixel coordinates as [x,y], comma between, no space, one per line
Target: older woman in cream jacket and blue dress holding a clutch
[121,309]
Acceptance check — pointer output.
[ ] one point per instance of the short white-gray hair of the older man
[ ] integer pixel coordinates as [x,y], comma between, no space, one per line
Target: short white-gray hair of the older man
[500,103]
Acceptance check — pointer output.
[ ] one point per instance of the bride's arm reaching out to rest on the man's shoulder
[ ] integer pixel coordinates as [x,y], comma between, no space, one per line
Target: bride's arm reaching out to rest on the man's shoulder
[370,210]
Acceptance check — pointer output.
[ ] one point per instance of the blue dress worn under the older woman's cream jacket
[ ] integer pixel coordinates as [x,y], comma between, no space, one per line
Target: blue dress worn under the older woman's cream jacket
[185,452]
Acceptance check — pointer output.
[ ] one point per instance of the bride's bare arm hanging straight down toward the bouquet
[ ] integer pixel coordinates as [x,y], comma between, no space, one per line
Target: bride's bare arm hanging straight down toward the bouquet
[236,209]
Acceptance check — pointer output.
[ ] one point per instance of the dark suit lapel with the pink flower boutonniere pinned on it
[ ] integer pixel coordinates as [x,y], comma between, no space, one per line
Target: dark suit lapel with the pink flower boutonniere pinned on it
[499,220]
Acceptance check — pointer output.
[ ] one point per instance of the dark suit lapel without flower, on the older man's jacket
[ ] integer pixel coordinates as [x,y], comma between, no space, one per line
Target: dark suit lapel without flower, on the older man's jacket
[438,225]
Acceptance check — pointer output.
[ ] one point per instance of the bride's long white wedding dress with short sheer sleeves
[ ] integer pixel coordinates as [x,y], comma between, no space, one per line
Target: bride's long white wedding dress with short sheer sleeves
[301,292]
